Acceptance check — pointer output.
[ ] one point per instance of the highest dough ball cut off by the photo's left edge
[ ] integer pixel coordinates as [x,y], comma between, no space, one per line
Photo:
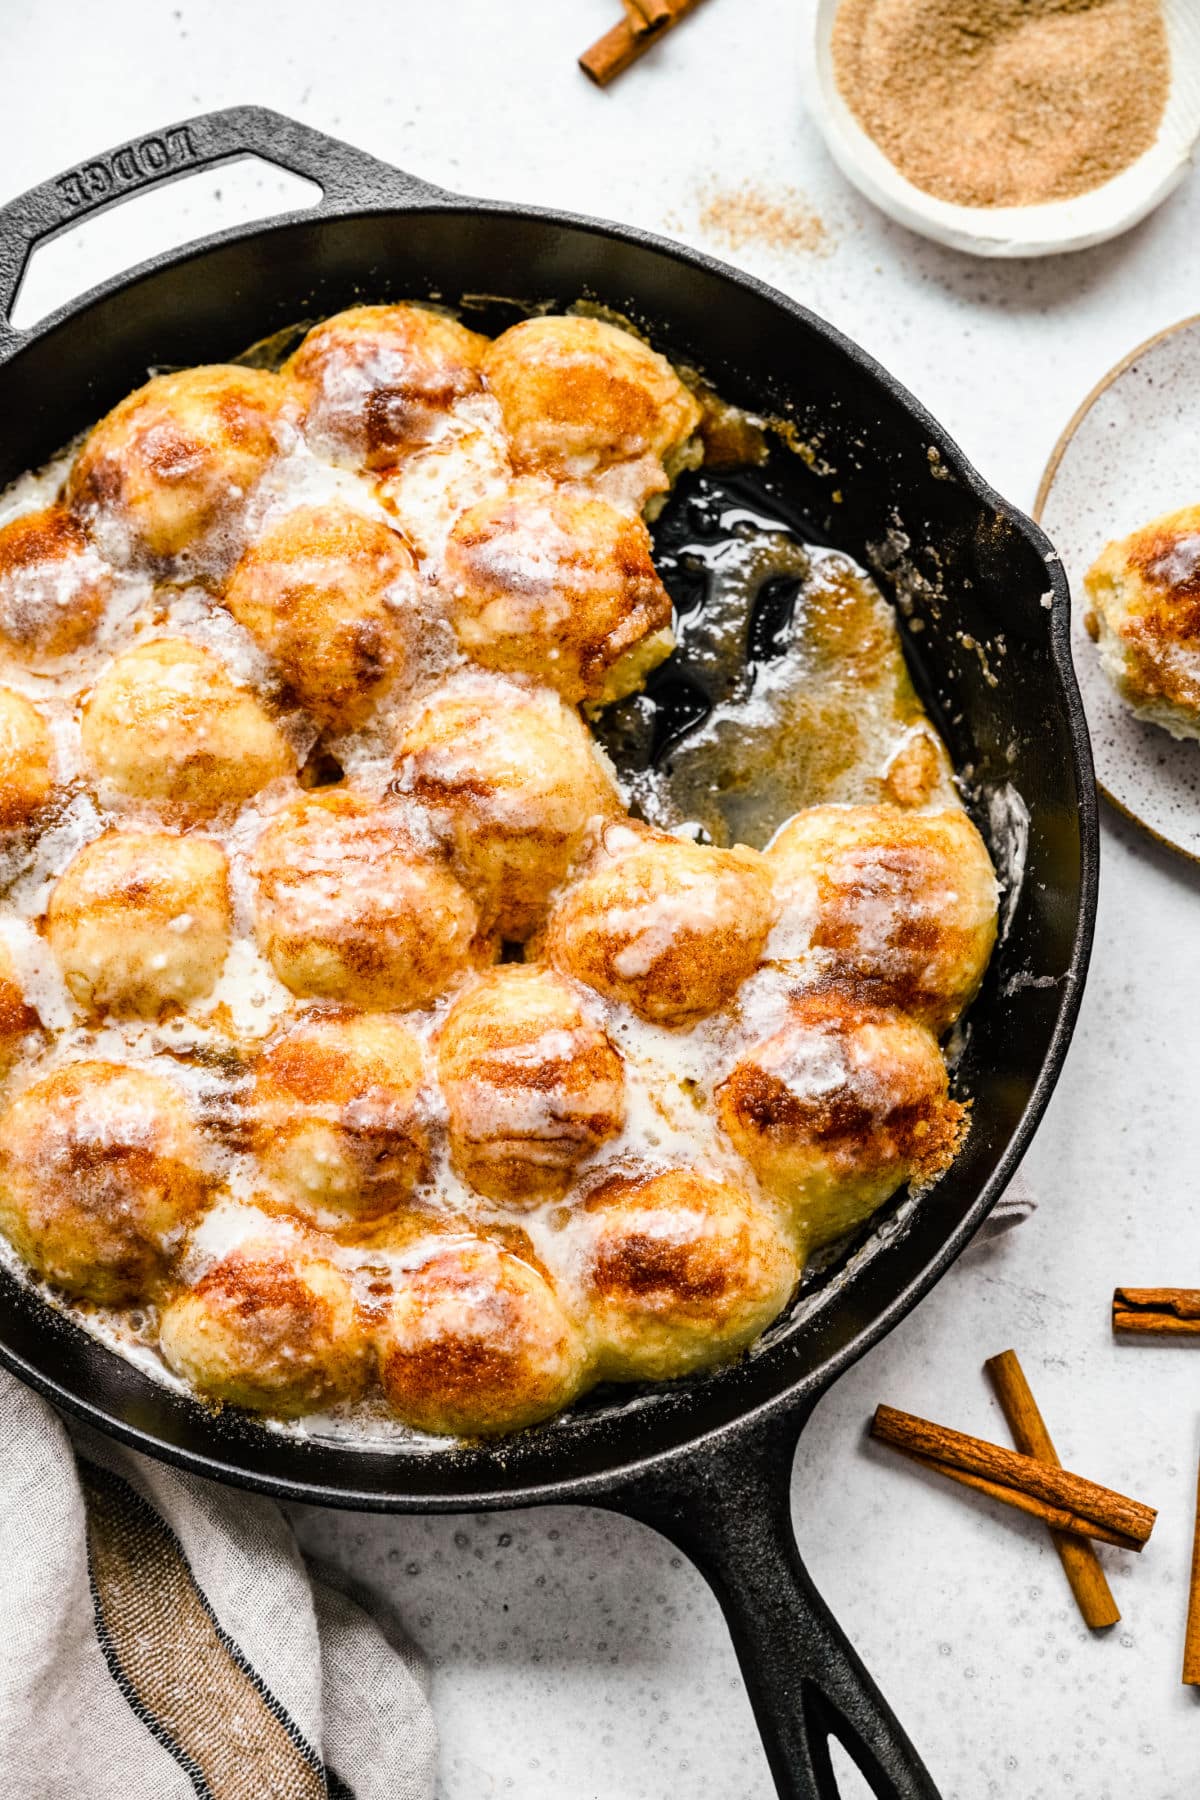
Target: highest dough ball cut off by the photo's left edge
[53,584]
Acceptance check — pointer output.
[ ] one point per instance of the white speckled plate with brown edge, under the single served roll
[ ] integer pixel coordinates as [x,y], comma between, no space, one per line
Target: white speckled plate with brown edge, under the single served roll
[1131,453]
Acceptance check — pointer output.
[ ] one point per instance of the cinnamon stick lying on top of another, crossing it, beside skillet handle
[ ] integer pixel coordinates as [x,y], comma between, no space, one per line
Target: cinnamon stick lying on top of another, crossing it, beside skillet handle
[1012,1470]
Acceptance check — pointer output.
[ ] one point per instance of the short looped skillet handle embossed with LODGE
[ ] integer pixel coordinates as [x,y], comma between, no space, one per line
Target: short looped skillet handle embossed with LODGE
[348,177]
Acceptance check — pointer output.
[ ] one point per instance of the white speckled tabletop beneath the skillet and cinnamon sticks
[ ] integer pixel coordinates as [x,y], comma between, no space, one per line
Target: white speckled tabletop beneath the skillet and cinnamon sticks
[577,1657]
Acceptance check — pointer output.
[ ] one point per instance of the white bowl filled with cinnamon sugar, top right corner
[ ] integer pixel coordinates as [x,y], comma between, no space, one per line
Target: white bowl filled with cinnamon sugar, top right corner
[1010,127]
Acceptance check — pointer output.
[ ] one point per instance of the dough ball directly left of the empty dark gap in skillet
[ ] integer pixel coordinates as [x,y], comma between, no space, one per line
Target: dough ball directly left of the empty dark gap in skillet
[557,584]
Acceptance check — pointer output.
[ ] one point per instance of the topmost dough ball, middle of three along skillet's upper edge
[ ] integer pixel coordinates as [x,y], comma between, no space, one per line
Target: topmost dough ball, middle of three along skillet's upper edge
[382,379]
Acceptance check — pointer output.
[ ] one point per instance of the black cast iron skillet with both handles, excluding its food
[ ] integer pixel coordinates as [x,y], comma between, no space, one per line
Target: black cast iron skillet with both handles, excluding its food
[708,1462]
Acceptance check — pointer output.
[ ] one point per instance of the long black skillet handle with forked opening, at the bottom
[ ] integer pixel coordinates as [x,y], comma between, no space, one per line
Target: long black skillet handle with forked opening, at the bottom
[730,1511]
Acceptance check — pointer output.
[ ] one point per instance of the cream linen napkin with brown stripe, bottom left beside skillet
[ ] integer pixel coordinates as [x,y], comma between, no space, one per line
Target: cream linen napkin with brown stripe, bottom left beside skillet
[165,1639]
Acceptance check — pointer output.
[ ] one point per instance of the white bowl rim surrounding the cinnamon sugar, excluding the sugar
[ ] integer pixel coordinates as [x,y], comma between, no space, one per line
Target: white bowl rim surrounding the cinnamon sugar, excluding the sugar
[1019,231]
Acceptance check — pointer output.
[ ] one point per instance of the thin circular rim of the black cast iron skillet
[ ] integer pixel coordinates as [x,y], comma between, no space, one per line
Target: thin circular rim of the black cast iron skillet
[791,1396]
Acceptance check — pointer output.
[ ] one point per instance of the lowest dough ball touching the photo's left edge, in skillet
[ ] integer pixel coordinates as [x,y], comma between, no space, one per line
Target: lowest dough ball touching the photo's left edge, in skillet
[102,1173]
